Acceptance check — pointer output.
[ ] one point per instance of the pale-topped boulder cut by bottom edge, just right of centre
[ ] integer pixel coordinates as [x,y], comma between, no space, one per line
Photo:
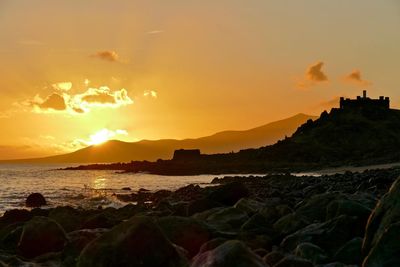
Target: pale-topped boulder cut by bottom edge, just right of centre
[231,253]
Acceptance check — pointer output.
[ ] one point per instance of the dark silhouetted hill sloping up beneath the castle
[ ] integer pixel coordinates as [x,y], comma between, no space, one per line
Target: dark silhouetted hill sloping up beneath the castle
[341,137]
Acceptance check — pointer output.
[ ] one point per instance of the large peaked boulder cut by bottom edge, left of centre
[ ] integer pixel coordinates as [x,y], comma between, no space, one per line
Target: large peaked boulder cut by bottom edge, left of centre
[136,242]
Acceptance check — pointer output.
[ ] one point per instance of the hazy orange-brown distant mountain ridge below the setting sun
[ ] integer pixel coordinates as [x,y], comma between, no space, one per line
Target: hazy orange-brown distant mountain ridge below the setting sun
[222,142]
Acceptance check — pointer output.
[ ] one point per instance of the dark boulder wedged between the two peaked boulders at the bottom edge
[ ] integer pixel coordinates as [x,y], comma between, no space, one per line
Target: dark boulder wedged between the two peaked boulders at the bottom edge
[188,233]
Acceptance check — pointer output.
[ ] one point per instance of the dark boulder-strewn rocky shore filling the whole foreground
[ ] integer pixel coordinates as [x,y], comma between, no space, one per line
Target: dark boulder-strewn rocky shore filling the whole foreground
[350,219]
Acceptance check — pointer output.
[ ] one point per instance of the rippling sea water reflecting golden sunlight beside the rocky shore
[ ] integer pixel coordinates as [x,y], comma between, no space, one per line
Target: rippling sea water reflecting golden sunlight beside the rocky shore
[87,189]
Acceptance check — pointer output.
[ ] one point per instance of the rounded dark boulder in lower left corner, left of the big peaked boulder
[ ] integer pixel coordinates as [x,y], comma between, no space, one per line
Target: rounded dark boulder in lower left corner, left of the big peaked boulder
[39,236]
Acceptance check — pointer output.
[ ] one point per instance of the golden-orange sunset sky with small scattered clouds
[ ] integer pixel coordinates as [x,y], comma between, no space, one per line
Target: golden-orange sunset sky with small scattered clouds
[75,73]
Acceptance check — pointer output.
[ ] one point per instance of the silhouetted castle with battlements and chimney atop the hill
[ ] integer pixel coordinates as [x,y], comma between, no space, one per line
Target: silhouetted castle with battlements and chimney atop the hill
[364,101]
